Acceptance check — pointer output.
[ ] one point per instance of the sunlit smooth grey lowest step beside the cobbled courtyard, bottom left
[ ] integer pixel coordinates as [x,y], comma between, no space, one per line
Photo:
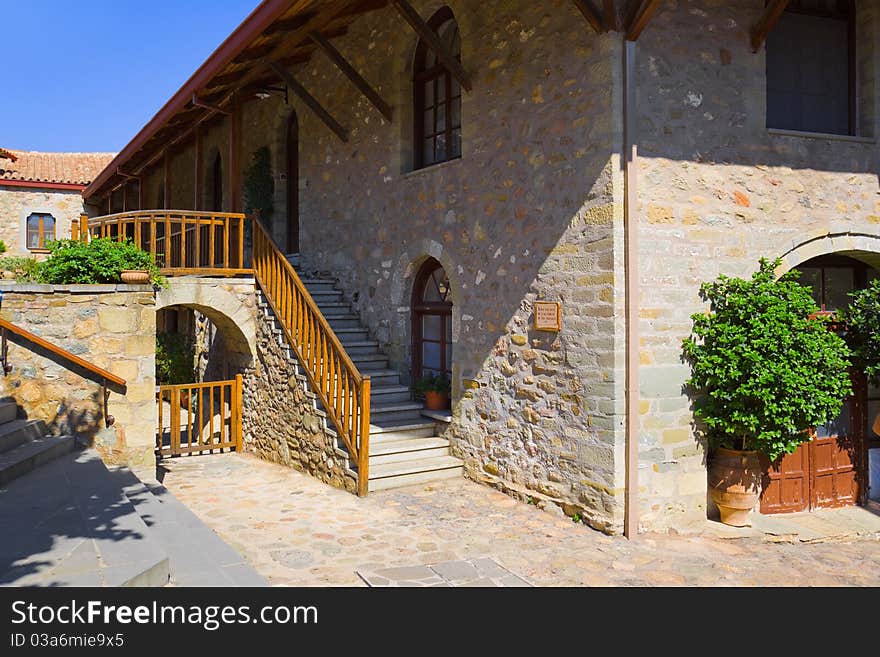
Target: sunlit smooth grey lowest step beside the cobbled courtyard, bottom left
[197,555]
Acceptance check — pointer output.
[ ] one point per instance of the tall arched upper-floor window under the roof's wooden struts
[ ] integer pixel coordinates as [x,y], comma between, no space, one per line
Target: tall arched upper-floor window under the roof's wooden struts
[437,97]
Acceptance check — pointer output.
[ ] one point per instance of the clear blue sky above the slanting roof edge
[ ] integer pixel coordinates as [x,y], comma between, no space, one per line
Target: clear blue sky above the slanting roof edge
[87,75]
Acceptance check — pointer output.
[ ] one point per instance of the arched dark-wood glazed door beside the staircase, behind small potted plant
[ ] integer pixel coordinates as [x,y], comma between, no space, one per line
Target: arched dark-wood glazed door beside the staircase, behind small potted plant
[432,321]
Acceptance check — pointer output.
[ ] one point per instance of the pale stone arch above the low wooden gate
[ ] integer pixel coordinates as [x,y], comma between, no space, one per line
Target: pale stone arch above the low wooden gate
[234,317]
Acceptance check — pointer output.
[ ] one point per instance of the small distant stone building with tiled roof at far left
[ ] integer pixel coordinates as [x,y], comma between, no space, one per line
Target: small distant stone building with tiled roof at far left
[41,196]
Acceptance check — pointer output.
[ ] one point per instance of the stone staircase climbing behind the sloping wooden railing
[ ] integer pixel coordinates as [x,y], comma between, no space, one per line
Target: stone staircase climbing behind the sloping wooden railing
[406,447]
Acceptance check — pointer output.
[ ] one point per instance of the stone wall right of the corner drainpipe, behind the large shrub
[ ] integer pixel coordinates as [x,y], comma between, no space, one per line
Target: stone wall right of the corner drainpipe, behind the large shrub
[717,191]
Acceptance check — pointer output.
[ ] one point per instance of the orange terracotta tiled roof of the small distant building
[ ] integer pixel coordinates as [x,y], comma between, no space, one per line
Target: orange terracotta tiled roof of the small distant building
[70,168]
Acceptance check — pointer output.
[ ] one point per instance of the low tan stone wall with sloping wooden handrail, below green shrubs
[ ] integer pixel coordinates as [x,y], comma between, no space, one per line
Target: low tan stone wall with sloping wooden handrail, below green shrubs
[111,326]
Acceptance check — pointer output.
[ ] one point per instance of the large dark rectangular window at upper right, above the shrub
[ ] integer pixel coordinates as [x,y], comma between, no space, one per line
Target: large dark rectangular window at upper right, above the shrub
[811,68]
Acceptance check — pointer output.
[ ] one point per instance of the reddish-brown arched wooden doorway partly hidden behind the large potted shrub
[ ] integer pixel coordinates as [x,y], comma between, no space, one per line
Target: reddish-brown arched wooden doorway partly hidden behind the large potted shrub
[832,469]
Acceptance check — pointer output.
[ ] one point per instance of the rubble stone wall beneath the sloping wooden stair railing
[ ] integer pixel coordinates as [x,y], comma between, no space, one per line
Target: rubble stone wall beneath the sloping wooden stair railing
[280,423]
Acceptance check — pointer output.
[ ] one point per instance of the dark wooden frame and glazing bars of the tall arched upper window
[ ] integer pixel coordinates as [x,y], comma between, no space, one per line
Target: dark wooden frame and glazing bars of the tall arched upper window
[421,76]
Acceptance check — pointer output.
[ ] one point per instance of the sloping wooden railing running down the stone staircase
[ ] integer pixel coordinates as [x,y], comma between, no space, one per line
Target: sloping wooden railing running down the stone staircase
[342,390]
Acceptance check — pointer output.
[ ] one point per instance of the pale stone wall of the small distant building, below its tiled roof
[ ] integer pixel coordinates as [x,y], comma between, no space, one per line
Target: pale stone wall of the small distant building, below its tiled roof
[17,203]
